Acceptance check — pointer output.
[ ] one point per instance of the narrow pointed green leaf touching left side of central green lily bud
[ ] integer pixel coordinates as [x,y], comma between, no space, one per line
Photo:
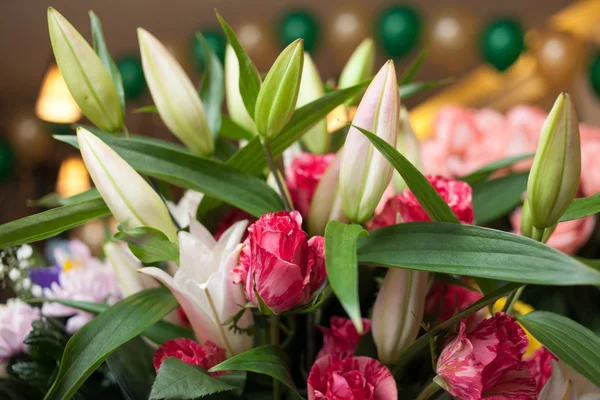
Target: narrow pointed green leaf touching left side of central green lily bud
[249,81]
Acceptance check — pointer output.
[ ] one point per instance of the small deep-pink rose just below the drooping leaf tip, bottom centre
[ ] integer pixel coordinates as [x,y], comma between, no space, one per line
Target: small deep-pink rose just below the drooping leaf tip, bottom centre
[341,338]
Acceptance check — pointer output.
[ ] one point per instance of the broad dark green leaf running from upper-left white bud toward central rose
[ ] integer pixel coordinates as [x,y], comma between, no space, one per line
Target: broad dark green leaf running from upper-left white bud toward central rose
[181,168]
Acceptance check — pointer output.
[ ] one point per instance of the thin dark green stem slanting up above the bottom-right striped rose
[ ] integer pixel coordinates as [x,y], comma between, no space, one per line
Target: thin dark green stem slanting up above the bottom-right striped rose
[423,341]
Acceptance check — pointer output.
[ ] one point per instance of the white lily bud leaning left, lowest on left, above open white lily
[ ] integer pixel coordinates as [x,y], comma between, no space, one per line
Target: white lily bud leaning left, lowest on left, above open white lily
[128,196]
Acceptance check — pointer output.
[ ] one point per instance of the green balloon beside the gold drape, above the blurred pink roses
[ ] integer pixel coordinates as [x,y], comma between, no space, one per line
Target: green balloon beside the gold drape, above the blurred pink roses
[502,42]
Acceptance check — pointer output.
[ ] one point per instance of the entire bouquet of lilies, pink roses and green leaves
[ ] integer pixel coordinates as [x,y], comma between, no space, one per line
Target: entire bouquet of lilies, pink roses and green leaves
[259,282]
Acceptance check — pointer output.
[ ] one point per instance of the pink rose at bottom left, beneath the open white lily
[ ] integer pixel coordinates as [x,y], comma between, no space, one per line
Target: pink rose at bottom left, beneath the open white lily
[190,352]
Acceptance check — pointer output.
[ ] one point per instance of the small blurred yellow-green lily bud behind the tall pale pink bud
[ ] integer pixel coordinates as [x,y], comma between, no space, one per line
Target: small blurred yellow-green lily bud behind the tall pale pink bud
[359,67]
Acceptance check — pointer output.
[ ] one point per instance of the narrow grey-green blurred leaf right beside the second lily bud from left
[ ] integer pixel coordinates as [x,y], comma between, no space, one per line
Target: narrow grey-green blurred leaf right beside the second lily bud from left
[212,86]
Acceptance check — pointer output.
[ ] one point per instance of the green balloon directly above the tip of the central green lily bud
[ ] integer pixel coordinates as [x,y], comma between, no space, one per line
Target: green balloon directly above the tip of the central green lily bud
[299,24]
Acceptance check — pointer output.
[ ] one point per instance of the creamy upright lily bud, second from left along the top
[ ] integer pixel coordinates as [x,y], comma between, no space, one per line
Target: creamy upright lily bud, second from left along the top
[176,98]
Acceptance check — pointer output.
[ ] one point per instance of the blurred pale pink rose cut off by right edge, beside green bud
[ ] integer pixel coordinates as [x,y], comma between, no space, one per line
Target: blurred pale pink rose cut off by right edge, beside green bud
[590,160]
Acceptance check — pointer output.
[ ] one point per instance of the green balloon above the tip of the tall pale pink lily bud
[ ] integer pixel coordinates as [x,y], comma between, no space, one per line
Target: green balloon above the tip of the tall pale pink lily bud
[399,29]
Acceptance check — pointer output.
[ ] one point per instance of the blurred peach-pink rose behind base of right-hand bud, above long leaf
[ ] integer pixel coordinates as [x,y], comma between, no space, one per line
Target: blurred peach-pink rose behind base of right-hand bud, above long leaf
[568,237]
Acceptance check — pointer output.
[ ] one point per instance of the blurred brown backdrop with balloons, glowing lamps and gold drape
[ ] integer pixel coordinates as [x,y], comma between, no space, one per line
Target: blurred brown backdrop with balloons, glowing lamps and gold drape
[498,53]
